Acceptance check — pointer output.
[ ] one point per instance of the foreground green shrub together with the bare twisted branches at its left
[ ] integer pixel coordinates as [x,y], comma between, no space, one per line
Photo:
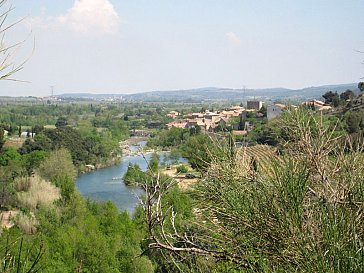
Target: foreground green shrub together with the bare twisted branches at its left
[302,212]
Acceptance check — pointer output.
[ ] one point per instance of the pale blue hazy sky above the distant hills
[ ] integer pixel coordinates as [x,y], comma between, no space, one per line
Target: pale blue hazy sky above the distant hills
[129,46]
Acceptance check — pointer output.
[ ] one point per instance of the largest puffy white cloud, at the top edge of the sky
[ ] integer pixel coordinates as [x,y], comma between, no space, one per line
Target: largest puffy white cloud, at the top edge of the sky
[87,17]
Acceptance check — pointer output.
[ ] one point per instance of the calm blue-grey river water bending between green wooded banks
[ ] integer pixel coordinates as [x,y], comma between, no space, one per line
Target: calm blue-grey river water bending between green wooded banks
[107,184]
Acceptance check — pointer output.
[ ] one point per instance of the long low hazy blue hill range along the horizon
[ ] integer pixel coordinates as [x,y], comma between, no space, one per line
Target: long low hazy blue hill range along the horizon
[210,94]
